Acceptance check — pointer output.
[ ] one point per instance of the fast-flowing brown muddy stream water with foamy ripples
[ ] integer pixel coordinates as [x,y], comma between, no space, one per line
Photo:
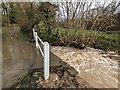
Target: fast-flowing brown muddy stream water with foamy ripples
[96,67]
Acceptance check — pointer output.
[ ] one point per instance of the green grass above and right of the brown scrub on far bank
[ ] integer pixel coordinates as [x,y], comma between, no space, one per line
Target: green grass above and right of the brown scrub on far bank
[104,41]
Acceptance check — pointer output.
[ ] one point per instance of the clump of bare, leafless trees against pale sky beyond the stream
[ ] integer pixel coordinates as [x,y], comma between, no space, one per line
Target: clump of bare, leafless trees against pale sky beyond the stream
[76,13]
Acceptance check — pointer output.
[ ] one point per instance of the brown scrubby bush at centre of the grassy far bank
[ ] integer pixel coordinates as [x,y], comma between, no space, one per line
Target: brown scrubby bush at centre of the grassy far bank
[77,38]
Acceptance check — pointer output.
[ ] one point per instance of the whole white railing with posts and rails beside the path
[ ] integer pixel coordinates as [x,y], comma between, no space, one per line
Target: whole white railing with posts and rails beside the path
[45,53]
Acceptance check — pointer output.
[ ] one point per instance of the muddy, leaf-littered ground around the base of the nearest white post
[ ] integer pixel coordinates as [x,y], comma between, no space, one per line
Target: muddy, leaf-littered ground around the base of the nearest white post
[60,77]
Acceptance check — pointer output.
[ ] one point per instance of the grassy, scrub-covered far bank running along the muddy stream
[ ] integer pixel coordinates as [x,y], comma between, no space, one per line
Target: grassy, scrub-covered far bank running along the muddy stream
[83,38]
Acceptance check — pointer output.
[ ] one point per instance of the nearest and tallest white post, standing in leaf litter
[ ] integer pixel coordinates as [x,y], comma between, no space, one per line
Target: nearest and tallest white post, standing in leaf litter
[46,60]
